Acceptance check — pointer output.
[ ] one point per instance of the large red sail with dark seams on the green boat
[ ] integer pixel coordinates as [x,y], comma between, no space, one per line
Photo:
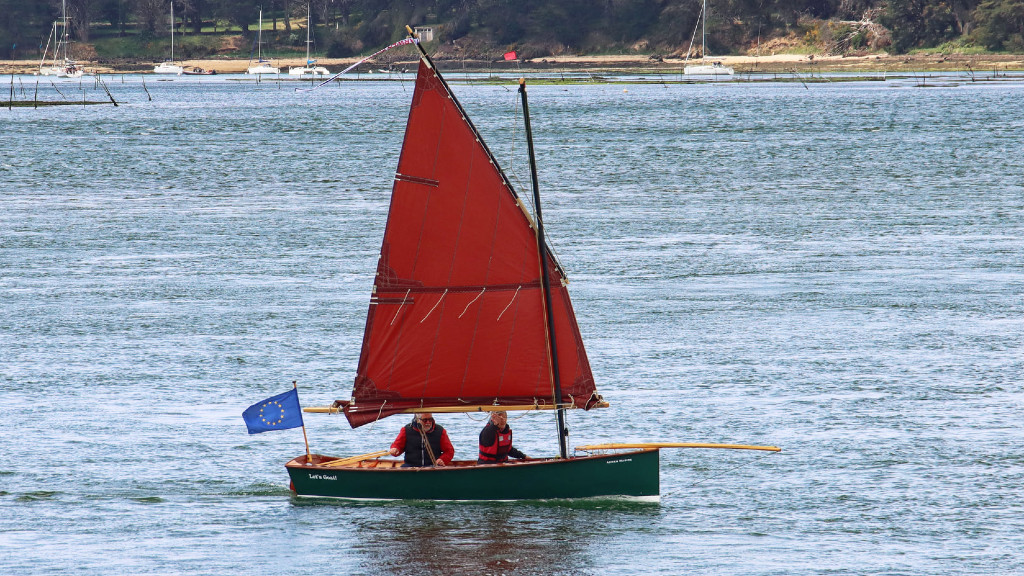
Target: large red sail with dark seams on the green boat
[457,315]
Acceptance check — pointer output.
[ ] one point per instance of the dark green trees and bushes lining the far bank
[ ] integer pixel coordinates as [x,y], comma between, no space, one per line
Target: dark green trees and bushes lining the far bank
[542,26]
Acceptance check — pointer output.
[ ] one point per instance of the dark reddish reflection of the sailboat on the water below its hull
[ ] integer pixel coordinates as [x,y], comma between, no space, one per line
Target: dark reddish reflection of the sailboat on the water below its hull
[525,538]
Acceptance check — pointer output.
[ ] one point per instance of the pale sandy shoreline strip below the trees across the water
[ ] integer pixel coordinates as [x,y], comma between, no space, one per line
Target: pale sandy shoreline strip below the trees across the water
[800,64]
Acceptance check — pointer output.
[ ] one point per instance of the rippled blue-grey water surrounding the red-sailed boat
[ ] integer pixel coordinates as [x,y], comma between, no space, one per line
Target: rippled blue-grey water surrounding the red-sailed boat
[836,269]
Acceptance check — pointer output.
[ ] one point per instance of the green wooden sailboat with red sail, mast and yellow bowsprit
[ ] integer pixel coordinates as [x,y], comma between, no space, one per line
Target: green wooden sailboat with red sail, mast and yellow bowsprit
[471,313]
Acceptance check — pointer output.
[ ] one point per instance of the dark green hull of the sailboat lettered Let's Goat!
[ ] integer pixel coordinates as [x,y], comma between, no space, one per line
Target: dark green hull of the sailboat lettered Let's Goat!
[632,474]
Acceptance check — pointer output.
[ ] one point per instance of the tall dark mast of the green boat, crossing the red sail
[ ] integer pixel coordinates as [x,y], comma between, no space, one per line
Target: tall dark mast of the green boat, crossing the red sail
[546,282]
